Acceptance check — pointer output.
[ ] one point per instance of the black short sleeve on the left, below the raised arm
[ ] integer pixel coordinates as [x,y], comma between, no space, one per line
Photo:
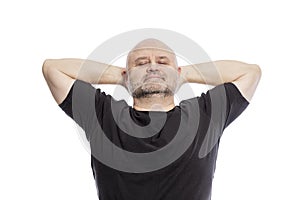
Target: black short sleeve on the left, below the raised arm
[84,104]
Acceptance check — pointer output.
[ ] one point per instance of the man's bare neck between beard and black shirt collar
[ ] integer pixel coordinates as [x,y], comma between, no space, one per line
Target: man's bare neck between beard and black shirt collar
[156,102]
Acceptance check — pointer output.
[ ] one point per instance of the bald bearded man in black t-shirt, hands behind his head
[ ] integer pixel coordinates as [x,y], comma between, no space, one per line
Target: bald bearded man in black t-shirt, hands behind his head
[152,77]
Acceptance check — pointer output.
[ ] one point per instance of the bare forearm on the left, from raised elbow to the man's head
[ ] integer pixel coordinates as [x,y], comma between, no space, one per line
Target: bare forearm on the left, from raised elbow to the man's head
[86,70]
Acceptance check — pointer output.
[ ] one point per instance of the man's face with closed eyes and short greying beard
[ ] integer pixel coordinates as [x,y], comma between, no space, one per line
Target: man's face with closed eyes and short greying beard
[152,71]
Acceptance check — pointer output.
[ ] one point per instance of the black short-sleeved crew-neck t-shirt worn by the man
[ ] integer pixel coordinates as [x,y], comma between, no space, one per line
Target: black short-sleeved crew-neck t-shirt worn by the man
[153,155]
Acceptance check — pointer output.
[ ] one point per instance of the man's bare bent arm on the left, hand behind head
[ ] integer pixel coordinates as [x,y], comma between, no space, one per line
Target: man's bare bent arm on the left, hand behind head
[60,74]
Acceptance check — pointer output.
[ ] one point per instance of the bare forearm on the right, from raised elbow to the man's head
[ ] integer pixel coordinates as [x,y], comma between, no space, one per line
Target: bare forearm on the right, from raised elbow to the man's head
[217,72]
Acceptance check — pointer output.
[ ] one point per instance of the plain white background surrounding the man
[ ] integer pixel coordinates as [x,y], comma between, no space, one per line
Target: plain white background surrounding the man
[41,154]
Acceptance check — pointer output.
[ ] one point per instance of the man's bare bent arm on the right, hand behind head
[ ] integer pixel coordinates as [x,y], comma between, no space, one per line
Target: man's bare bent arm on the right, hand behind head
[244,76]
